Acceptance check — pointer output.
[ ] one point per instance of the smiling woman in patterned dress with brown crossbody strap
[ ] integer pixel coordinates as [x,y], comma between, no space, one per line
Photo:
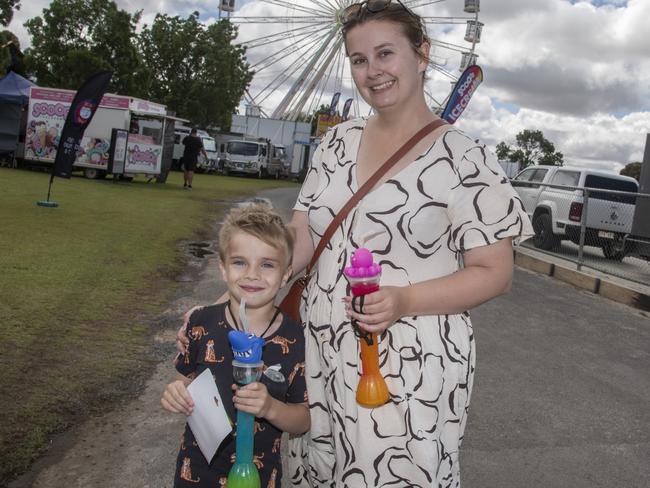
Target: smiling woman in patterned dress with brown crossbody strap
[445,203]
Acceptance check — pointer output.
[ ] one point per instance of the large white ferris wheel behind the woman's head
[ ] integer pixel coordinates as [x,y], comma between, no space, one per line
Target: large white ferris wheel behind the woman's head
[296,51]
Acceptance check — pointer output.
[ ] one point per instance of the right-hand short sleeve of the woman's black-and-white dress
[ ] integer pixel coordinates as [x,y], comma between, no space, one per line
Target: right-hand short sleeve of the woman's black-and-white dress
[483,206]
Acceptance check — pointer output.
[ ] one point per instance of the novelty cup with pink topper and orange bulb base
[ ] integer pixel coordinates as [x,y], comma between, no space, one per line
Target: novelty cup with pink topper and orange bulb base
[363,275]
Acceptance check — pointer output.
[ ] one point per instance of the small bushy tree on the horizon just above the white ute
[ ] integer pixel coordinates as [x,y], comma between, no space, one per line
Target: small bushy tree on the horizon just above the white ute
[531,148]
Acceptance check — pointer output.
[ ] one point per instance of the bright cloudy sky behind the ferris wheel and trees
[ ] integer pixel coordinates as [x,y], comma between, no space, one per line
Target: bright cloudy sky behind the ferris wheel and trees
[577,70]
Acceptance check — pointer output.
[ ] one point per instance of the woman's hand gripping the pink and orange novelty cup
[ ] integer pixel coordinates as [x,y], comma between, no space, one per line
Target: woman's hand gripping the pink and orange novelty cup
[378,310]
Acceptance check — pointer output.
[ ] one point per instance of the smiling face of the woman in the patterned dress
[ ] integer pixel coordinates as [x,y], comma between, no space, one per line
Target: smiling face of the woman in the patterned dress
[385,68]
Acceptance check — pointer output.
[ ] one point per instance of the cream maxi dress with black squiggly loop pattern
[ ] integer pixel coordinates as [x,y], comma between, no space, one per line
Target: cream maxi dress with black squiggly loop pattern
[452,198]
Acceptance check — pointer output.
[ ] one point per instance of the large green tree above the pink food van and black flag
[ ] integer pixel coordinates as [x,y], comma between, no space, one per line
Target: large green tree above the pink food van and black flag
[76,38]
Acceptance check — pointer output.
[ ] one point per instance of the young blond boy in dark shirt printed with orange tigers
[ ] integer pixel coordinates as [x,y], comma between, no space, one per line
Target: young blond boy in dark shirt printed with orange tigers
[255,250]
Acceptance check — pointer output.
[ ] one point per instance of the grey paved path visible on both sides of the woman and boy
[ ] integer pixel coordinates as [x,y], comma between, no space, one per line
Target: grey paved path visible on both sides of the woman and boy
[561,398]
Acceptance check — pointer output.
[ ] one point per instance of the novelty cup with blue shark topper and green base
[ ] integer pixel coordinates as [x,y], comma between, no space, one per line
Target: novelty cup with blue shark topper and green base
[247,367]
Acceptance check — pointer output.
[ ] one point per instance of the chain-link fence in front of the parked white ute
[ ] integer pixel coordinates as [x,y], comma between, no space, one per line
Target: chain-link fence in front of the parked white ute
[601,229]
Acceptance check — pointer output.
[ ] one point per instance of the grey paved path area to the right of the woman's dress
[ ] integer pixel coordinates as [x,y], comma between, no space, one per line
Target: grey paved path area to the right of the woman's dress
[562,391]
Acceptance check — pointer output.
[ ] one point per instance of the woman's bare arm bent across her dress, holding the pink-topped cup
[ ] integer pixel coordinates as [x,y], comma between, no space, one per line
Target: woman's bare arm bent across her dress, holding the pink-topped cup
[487,274]
